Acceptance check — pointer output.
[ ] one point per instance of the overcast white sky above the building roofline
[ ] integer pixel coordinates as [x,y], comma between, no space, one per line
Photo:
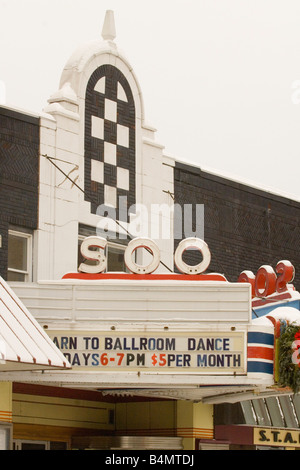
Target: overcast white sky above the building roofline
[220,78]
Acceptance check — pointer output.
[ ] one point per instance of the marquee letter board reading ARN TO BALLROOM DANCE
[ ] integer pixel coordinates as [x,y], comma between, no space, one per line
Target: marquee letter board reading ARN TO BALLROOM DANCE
[205,353]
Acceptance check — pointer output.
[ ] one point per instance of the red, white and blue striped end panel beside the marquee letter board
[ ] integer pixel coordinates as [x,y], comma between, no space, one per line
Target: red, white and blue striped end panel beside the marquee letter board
[260,352]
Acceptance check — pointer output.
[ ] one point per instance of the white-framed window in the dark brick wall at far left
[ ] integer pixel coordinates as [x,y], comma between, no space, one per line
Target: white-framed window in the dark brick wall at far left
[19,256]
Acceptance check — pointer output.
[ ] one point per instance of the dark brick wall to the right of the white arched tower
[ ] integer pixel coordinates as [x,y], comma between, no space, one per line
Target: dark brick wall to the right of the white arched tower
[244,227]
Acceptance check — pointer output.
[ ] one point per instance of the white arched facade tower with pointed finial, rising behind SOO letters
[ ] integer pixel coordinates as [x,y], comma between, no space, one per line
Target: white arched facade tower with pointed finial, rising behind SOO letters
[106,162]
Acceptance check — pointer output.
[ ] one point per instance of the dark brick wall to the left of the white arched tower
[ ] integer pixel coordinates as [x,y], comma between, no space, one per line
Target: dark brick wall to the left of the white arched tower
[19,167]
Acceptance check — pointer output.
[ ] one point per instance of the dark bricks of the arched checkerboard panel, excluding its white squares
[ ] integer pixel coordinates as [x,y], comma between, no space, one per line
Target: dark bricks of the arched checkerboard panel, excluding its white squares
[94,147]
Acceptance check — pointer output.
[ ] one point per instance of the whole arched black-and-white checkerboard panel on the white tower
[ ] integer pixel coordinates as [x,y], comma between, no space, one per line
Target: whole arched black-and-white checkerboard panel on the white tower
[109,140]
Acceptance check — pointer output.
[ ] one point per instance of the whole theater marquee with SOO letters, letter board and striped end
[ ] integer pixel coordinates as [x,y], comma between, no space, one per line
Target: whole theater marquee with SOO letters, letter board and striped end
[142,329]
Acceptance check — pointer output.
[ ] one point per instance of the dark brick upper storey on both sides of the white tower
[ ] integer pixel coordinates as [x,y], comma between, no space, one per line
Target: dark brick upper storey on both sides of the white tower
[244,227]
